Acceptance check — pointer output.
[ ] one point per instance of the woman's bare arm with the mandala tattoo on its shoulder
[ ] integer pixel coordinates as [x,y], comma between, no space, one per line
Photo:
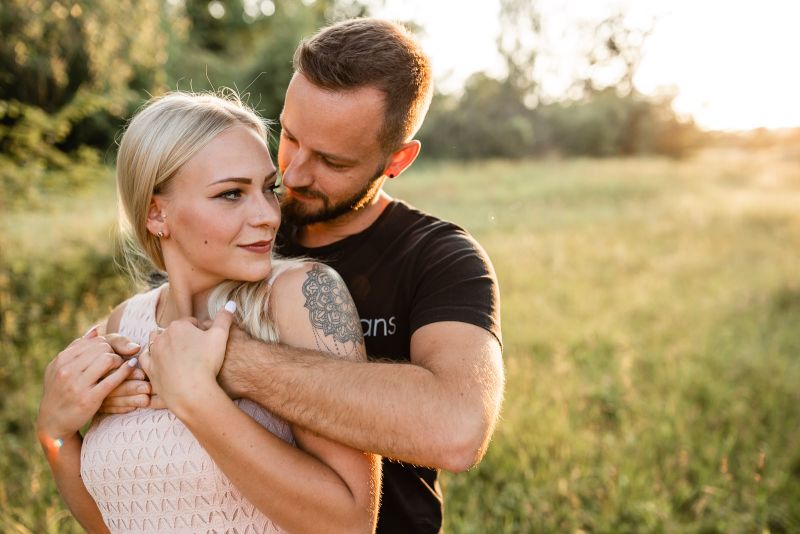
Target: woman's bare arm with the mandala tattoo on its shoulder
[320,486]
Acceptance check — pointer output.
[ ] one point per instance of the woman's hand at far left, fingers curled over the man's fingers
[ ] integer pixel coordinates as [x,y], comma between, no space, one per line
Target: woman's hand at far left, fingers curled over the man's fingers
[76,382]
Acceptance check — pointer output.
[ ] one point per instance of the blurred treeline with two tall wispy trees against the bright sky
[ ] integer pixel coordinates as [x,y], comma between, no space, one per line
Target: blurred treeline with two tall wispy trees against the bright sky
[601,115]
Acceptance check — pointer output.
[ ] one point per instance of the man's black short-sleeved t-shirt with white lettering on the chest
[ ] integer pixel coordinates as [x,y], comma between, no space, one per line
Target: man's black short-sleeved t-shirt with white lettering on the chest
[406,270]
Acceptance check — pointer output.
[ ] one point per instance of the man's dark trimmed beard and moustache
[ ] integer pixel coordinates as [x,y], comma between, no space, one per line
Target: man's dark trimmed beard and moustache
[295,212]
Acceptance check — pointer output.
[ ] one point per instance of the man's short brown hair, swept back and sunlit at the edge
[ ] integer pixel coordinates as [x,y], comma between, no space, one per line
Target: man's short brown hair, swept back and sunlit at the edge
[378,53]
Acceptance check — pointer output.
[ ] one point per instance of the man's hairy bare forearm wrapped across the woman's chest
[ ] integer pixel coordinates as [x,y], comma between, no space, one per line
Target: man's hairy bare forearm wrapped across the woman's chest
[402,411]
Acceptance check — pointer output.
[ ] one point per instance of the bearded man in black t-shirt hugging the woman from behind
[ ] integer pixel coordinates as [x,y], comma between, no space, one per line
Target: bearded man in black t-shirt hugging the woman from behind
[424,289]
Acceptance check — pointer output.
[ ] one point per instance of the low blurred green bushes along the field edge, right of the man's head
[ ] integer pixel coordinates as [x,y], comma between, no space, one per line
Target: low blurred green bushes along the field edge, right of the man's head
[491,120]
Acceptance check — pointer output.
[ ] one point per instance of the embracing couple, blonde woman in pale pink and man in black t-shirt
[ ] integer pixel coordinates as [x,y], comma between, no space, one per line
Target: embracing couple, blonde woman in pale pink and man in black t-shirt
[245,394]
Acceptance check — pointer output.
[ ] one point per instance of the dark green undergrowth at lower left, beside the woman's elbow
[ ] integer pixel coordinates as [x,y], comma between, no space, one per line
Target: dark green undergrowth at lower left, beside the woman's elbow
[44,303]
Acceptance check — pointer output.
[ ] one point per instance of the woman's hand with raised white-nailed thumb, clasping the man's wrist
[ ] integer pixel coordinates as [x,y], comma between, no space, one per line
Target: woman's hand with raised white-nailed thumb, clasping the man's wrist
[183,361]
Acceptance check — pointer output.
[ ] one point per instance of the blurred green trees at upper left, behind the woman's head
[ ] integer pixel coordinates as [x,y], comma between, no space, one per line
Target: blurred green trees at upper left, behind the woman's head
[73,71]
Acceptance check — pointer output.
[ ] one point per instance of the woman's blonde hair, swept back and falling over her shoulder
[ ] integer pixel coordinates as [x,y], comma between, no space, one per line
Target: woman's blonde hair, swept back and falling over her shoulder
[166,133]
